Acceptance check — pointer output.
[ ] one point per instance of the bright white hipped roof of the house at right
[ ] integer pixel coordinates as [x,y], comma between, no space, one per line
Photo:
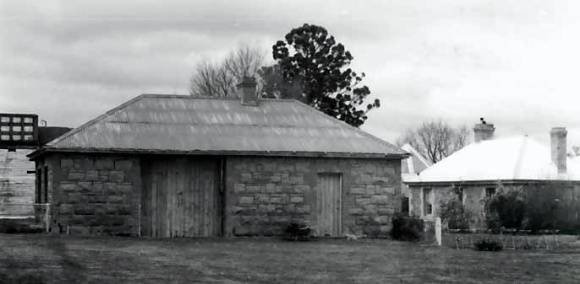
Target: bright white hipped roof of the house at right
[515,158]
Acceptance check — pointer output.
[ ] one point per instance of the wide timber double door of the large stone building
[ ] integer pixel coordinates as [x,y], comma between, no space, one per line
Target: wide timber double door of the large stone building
[181,198]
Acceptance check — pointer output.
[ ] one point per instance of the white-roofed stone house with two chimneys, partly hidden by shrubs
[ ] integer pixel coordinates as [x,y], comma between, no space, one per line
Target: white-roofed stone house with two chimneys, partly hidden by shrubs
[476,172]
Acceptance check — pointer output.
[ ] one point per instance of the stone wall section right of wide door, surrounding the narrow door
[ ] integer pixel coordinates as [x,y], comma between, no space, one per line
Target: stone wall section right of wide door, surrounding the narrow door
[265,194]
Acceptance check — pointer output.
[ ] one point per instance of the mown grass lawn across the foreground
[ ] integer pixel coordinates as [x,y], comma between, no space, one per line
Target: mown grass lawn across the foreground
[57,259]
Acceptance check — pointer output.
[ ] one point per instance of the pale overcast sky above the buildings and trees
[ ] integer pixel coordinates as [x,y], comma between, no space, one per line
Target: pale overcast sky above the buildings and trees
[516,63]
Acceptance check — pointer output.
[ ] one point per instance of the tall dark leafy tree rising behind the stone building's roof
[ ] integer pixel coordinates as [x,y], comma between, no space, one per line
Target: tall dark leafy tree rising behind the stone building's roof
[311,58]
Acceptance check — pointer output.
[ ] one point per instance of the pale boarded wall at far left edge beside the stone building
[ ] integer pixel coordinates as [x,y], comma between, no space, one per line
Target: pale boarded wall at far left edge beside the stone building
[16,185]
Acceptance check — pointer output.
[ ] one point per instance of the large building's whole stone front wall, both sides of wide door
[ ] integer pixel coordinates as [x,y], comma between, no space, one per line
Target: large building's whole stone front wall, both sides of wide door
[92,194]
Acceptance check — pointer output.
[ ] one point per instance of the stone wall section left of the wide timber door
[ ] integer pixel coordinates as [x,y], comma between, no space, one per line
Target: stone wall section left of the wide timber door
[94,194]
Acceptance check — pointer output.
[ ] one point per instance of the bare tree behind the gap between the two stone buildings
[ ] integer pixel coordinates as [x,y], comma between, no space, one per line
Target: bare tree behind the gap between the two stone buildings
[436,139]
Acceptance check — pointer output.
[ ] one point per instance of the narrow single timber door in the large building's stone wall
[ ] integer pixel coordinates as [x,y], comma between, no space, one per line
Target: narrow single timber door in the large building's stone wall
[329,203]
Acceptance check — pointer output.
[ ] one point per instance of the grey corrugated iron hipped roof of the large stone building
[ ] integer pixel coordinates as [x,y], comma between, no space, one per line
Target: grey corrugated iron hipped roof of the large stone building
[186,124]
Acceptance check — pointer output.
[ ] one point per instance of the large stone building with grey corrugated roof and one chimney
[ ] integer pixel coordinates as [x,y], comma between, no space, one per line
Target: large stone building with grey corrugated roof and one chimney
[169,166]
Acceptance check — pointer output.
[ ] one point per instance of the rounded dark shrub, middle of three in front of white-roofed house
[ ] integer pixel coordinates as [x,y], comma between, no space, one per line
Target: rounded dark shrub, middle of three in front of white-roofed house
[505,210]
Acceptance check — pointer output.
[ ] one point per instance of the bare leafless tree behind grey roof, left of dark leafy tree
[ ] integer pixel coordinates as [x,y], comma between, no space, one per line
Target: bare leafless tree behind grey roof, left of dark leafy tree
[220,79]
